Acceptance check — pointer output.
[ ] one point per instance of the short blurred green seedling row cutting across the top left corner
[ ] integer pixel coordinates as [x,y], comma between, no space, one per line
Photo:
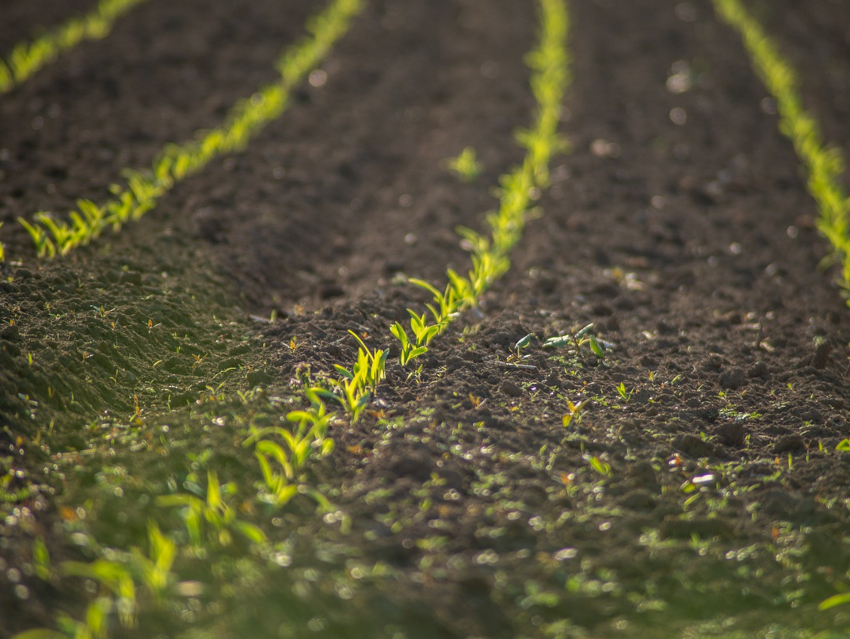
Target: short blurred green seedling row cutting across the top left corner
[27,58]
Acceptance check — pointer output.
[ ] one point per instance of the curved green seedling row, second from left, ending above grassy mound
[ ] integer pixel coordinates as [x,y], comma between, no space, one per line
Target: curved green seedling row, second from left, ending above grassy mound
[177,162]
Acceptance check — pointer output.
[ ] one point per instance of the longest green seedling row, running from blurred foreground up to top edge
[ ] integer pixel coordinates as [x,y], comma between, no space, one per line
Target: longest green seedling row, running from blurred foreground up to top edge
[210,518]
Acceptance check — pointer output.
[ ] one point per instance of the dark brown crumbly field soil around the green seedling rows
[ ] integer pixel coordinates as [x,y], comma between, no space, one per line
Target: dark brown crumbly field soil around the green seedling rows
[697,493]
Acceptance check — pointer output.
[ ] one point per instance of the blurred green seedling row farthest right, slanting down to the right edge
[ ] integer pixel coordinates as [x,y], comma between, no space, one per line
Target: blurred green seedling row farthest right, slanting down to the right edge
[824,164]
